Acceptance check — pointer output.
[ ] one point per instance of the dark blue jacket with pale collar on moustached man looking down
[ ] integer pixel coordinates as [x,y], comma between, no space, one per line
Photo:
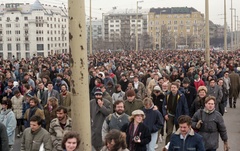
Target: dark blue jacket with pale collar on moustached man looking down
[193,141]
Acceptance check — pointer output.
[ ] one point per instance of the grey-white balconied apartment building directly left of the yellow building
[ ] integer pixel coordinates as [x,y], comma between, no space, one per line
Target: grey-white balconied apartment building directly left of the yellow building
[120,27]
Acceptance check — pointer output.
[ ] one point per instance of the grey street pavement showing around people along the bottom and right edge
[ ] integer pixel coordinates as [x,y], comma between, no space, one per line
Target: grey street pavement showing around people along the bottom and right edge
[232,122]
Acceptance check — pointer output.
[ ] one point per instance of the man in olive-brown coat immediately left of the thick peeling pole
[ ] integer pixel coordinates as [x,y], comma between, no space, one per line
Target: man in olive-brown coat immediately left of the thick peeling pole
[66,98]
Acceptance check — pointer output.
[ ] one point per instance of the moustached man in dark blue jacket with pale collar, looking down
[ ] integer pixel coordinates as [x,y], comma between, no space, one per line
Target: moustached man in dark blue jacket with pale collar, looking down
[185,137]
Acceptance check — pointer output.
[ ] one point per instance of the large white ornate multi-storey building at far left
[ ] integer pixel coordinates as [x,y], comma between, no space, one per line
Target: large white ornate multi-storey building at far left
[27,29]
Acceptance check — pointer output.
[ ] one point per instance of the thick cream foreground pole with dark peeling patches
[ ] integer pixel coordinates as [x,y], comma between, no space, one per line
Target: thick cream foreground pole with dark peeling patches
[79,67]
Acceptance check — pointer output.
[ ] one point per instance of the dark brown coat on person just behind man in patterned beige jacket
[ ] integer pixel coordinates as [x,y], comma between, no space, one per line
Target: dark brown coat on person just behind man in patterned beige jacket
[49,115]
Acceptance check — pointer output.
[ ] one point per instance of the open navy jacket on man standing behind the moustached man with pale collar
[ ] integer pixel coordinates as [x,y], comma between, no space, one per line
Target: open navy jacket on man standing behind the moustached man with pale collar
[181,109]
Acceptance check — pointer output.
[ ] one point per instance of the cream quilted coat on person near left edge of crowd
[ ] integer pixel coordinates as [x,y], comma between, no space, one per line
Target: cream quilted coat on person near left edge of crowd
[17,104]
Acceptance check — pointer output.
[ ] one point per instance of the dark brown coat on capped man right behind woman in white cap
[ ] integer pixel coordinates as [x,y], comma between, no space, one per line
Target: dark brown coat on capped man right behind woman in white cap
[131,106]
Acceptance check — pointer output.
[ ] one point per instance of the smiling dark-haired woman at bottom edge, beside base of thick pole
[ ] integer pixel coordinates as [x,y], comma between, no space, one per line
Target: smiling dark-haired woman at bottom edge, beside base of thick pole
[71,141]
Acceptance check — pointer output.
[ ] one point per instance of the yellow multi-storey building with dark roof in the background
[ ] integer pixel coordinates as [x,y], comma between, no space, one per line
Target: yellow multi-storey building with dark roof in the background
[175,27]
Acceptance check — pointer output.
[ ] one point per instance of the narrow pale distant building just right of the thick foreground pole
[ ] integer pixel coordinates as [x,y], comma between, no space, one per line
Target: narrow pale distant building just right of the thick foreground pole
[97,35]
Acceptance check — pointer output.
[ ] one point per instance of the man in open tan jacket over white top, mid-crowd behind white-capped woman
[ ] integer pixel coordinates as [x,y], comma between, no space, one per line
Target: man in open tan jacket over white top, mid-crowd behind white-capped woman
[139,86]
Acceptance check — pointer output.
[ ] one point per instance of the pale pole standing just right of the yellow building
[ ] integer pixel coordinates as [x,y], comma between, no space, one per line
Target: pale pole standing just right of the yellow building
[207,41]
